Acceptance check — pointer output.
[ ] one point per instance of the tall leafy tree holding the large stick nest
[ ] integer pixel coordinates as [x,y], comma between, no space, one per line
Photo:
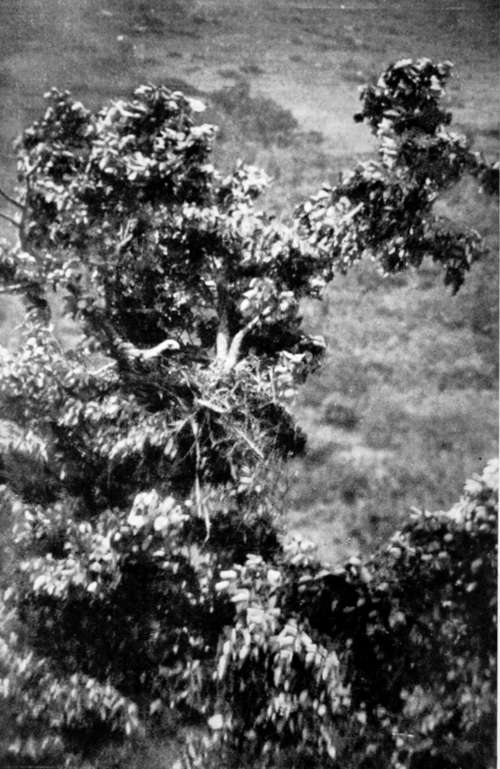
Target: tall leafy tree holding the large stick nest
[153,445]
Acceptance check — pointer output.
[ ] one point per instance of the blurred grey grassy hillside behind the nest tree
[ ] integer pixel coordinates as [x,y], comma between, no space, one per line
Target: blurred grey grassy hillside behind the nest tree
[405,407]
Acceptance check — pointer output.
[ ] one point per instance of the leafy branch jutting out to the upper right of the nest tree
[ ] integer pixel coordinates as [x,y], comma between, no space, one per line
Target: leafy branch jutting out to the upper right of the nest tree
[389,204]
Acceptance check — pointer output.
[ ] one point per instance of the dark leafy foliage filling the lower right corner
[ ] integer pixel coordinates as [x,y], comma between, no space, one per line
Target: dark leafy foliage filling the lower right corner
[391,663]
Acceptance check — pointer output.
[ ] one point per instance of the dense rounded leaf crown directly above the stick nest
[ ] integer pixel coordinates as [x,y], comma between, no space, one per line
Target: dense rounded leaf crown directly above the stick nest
[126,214]
